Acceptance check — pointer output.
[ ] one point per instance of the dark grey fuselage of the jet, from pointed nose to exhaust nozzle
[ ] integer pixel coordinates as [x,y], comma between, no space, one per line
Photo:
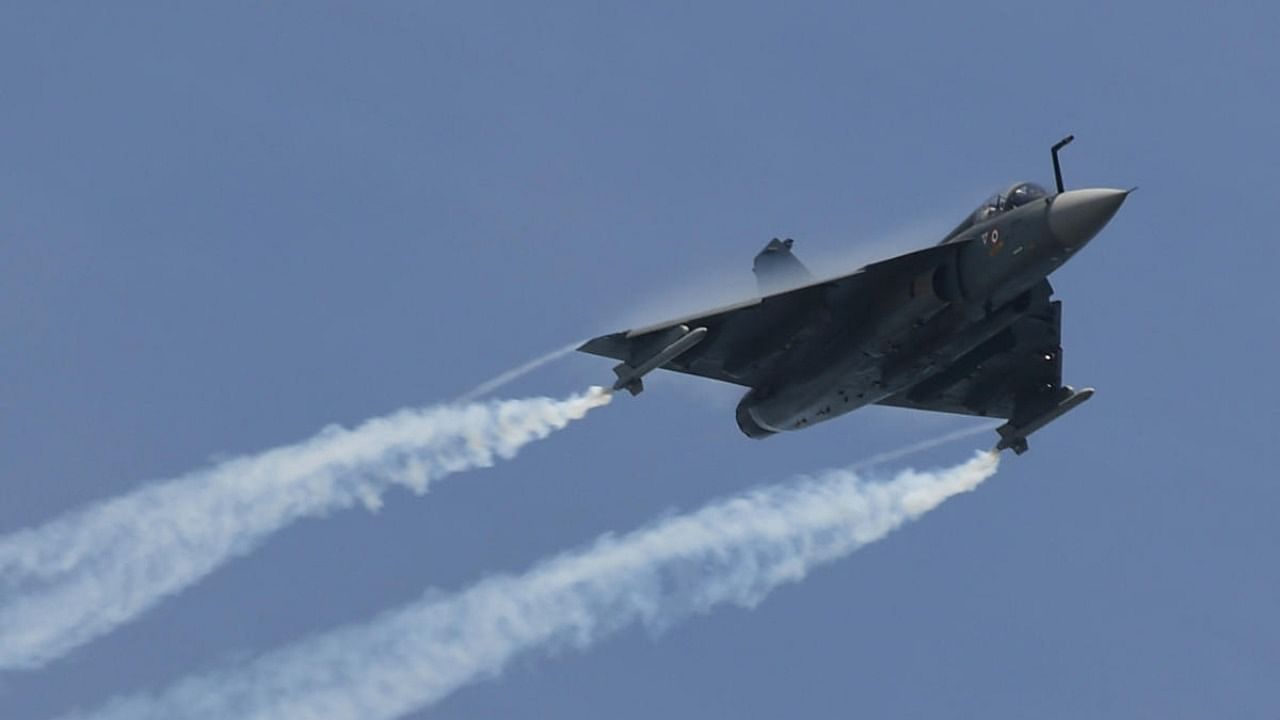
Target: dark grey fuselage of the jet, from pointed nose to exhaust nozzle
[876,345]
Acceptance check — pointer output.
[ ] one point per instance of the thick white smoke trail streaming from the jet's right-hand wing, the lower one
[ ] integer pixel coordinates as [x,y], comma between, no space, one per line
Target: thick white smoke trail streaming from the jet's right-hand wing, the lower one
[735,552]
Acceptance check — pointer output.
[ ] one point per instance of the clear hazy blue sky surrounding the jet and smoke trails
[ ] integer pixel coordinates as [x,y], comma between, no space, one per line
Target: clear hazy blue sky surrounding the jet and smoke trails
[226,226]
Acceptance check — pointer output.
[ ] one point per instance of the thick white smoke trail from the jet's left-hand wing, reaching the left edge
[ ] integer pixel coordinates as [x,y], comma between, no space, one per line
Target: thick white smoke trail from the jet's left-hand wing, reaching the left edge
[84,575]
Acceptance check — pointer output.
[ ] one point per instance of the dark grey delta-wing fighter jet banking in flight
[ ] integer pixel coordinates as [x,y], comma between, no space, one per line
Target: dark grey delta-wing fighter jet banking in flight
[967,326]
